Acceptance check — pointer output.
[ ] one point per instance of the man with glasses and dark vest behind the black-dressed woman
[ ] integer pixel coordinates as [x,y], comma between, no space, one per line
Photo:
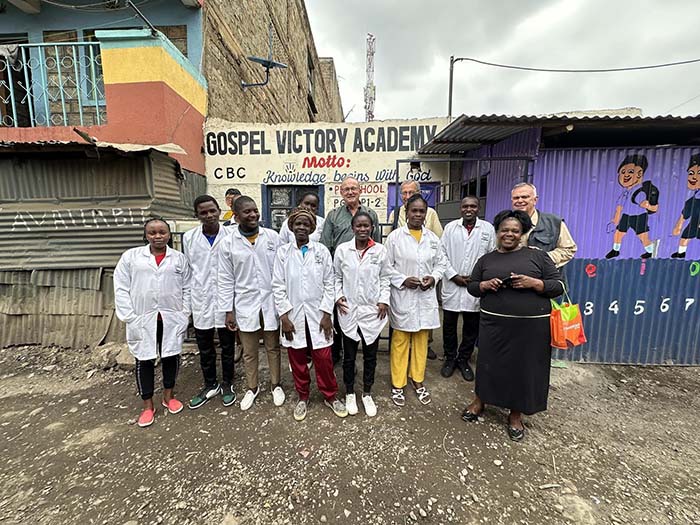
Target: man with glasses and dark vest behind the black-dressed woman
[549,232]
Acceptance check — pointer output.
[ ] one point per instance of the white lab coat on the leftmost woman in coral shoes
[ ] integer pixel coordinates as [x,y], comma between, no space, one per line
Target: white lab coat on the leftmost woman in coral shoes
[142,290]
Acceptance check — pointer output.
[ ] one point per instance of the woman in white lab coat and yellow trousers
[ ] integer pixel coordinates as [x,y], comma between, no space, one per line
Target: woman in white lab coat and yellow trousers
[417,264]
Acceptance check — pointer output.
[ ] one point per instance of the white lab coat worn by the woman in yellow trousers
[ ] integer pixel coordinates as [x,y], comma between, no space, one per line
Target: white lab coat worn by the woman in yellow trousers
[414,310]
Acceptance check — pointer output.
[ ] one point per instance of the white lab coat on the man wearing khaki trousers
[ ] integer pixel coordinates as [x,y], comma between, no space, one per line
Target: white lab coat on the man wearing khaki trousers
[245,279]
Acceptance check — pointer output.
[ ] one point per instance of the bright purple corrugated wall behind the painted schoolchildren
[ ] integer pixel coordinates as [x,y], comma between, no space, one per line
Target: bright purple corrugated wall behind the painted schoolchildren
[581,186]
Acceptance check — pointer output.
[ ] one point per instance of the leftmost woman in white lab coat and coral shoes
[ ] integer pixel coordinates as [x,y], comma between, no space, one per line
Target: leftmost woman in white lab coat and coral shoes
[152,296]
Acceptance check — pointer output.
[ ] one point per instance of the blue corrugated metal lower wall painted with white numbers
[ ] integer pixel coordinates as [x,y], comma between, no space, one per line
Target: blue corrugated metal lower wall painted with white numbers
[637,312]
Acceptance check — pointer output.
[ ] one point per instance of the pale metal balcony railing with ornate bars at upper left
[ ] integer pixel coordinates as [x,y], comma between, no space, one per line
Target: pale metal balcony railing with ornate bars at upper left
[57,84]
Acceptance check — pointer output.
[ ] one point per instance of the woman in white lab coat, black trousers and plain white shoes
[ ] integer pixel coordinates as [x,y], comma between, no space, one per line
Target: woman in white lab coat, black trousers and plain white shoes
[362,288]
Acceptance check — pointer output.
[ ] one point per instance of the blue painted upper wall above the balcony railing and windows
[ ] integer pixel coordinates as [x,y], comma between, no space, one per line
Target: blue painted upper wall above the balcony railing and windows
[159,12]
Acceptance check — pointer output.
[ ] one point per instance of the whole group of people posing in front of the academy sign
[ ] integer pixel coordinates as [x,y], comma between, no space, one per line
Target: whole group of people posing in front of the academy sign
[320,288]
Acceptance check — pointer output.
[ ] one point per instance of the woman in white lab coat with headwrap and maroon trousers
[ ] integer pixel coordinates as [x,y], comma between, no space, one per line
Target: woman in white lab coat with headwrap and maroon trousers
[303,286]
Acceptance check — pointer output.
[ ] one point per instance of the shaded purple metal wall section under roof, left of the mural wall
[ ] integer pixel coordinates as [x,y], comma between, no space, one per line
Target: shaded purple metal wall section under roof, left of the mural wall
[504,174]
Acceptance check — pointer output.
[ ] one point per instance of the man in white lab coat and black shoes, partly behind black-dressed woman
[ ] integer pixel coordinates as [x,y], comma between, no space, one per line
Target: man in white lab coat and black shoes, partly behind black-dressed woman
[464,241]
